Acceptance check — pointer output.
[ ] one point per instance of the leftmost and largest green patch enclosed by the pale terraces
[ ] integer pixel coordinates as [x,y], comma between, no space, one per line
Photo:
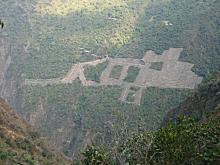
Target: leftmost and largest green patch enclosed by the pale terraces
[93,73]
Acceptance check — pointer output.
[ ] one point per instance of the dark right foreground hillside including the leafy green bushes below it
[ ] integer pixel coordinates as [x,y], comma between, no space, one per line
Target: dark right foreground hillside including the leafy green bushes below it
[193,137]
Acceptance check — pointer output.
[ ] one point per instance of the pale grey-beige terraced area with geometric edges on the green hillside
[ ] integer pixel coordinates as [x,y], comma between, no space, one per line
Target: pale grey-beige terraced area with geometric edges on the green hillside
[173,74]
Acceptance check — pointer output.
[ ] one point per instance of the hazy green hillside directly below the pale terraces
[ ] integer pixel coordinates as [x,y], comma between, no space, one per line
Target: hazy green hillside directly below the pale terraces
[96,111]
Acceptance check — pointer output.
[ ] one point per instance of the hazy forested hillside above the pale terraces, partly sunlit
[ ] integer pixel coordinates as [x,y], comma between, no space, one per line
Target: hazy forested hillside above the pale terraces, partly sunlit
[59,33]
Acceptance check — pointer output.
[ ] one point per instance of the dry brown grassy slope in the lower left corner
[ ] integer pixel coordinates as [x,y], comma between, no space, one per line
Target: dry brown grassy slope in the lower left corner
[21,144]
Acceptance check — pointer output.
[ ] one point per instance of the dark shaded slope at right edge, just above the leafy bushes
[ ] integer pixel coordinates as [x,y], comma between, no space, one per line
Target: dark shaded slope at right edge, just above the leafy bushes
[205,100]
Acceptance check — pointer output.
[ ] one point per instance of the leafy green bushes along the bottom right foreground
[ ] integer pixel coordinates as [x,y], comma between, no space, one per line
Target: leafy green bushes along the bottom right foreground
[184,142]
